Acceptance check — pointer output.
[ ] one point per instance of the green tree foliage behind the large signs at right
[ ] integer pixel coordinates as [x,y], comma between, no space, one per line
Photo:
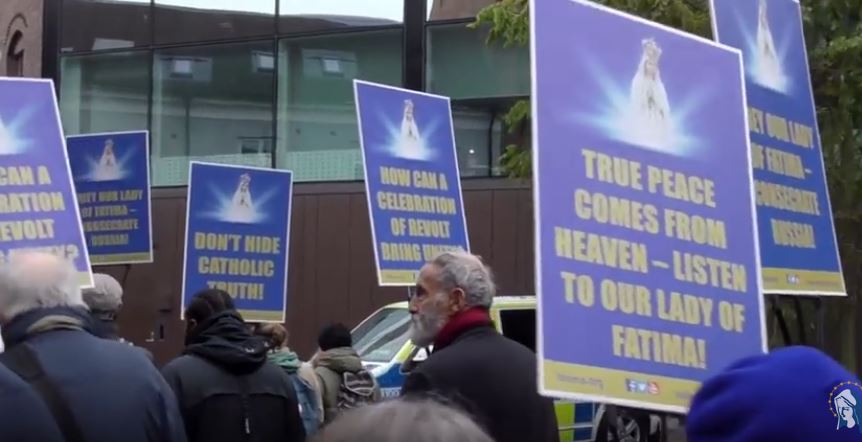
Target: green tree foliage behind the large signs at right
[833,31]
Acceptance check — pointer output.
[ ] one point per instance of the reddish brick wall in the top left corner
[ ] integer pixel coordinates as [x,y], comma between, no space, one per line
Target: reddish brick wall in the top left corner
[24,16]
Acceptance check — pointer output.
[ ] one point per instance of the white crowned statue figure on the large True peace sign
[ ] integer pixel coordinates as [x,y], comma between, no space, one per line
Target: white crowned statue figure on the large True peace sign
[650,110]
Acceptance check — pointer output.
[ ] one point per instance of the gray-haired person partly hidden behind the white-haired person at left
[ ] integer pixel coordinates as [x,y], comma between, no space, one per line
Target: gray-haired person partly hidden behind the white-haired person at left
[105,300]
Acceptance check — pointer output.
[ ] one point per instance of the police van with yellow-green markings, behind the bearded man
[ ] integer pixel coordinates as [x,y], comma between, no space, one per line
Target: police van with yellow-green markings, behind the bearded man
[382,341]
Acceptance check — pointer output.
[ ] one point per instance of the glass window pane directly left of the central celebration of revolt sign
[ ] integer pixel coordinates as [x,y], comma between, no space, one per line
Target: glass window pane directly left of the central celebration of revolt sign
[317,131]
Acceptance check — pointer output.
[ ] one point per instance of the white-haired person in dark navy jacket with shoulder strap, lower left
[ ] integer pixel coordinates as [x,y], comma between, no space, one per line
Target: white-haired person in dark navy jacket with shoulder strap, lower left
[59,376]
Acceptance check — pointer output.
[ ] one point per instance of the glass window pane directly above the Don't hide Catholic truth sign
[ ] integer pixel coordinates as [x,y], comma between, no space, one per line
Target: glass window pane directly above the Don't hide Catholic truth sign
[211,103]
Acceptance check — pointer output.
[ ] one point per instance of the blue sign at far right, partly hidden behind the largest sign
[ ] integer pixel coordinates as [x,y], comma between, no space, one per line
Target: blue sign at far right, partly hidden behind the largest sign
[798,248]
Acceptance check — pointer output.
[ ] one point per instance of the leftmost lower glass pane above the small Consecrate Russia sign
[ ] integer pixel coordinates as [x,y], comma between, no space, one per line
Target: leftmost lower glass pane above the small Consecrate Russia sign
[104,92]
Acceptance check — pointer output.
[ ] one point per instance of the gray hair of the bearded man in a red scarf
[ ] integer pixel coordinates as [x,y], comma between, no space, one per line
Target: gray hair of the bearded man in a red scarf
[460,269]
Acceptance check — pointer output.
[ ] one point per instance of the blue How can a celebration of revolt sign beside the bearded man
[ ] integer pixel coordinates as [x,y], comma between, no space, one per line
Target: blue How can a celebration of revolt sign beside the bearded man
[411,178]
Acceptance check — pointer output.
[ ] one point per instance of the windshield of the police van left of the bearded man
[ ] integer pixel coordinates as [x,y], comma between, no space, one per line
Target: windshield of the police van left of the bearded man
[381,337]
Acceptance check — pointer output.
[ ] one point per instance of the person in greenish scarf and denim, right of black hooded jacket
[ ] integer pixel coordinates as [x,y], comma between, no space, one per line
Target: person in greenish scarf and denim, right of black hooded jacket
[305,382]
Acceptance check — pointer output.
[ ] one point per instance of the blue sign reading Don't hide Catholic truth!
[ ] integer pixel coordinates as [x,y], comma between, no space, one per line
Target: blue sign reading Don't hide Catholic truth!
[237,237]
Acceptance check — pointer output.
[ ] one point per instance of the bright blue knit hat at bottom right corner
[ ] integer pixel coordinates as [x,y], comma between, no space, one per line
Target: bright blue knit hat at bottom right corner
[795,394]
